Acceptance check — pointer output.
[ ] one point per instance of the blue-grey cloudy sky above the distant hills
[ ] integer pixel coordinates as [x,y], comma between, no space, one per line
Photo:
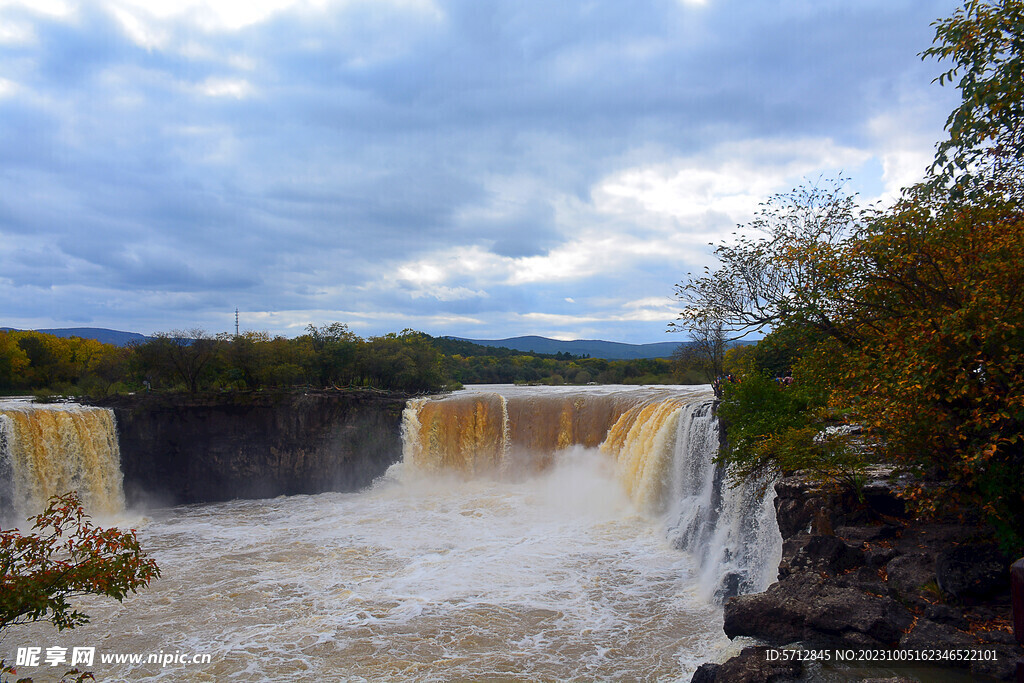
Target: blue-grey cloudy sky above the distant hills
[482,168]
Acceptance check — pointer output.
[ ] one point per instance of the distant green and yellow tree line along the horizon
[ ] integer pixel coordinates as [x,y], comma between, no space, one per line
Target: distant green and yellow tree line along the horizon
[324,357]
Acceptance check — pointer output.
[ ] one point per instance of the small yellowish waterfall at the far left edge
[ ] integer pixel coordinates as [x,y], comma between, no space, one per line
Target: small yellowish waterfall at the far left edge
[49,450]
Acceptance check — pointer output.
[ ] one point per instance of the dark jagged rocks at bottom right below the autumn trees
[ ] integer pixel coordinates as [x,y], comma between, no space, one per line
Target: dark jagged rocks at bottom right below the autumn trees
[857,573]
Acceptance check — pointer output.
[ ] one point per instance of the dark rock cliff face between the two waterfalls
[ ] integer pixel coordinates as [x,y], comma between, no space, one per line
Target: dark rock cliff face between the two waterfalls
[182,449]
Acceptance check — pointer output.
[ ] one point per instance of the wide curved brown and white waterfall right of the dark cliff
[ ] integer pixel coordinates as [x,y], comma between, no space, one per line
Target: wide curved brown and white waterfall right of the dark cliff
[662,441]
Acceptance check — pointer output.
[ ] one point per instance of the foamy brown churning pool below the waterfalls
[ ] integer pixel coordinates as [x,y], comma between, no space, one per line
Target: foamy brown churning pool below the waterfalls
[428,578]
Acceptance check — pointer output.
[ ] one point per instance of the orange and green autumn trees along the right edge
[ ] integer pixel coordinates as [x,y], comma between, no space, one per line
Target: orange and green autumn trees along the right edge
[921,306]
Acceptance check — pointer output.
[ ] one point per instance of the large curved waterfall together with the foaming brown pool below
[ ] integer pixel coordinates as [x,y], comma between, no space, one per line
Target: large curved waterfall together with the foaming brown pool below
[518,541]
